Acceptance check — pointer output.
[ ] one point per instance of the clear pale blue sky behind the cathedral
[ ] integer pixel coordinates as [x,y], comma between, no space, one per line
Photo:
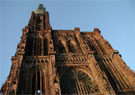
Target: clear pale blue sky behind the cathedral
[115,19]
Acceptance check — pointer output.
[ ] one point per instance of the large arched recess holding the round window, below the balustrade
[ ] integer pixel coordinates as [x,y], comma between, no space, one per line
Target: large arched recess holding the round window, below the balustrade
[77,83]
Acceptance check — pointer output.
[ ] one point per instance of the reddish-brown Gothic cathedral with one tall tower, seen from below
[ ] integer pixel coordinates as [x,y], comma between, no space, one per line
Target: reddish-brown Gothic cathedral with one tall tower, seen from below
[66,62]
